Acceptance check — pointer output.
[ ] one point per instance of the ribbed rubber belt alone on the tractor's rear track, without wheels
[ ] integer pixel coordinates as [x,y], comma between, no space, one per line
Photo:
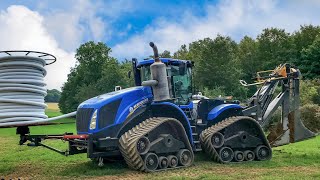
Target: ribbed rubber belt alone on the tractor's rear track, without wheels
[205,136]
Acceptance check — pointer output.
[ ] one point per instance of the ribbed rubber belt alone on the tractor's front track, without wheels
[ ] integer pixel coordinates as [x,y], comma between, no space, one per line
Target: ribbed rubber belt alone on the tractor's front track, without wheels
[129,140]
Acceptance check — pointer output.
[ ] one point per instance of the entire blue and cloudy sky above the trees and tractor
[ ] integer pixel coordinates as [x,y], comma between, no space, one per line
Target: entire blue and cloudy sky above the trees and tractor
[59,27]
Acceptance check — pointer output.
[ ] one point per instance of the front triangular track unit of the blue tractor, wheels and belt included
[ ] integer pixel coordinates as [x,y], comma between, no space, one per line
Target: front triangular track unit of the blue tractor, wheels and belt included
[156,144]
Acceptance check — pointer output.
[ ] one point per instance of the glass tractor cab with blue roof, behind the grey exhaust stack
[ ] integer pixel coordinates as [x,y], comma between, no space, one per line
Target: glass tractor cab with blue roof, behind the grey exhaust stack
[179,73]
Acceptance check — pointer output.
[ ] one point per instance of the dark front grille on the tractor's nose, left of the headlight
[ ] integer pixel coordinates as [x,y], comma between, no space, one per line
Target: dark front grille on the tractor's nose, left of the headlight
[83,119]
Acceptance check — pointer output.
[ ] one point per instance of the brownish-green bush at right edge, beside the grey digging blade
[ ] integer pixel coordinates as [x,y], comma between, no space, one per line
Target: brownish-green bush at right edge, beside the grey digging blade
[310,115]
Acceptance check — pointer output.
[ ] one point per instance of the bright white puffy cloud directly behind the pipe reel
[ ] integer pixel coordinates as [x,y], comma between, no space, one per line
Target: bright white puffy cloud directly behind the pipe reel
[23,29]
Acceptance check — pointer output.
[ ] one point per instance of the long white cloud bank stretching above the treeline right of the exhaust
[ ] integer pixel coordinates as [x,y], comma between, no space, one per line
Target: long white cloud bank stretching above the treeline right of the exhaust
[235,18]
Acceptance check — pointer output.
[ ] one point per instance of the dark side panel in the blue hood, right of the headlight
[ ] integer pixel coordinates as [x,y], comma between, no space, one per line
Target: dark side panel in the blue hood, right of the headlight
[108,113]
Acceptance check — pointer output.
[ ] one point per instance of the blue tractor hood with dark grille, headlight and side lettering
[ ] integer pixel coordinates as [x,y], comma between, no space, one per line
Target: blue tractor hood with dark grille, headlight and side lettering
[111,108]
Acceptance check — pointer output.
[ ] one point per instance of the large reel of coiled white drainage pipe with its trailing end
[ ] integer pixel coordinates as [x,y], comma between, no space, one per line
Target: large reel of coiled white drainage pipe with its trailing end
[22,88]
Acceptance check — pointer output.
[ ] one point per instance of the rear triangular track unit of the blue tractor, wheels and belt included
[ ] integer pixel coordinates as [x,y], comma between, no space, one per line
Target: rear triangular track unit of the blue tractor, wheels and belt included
[236,139]
